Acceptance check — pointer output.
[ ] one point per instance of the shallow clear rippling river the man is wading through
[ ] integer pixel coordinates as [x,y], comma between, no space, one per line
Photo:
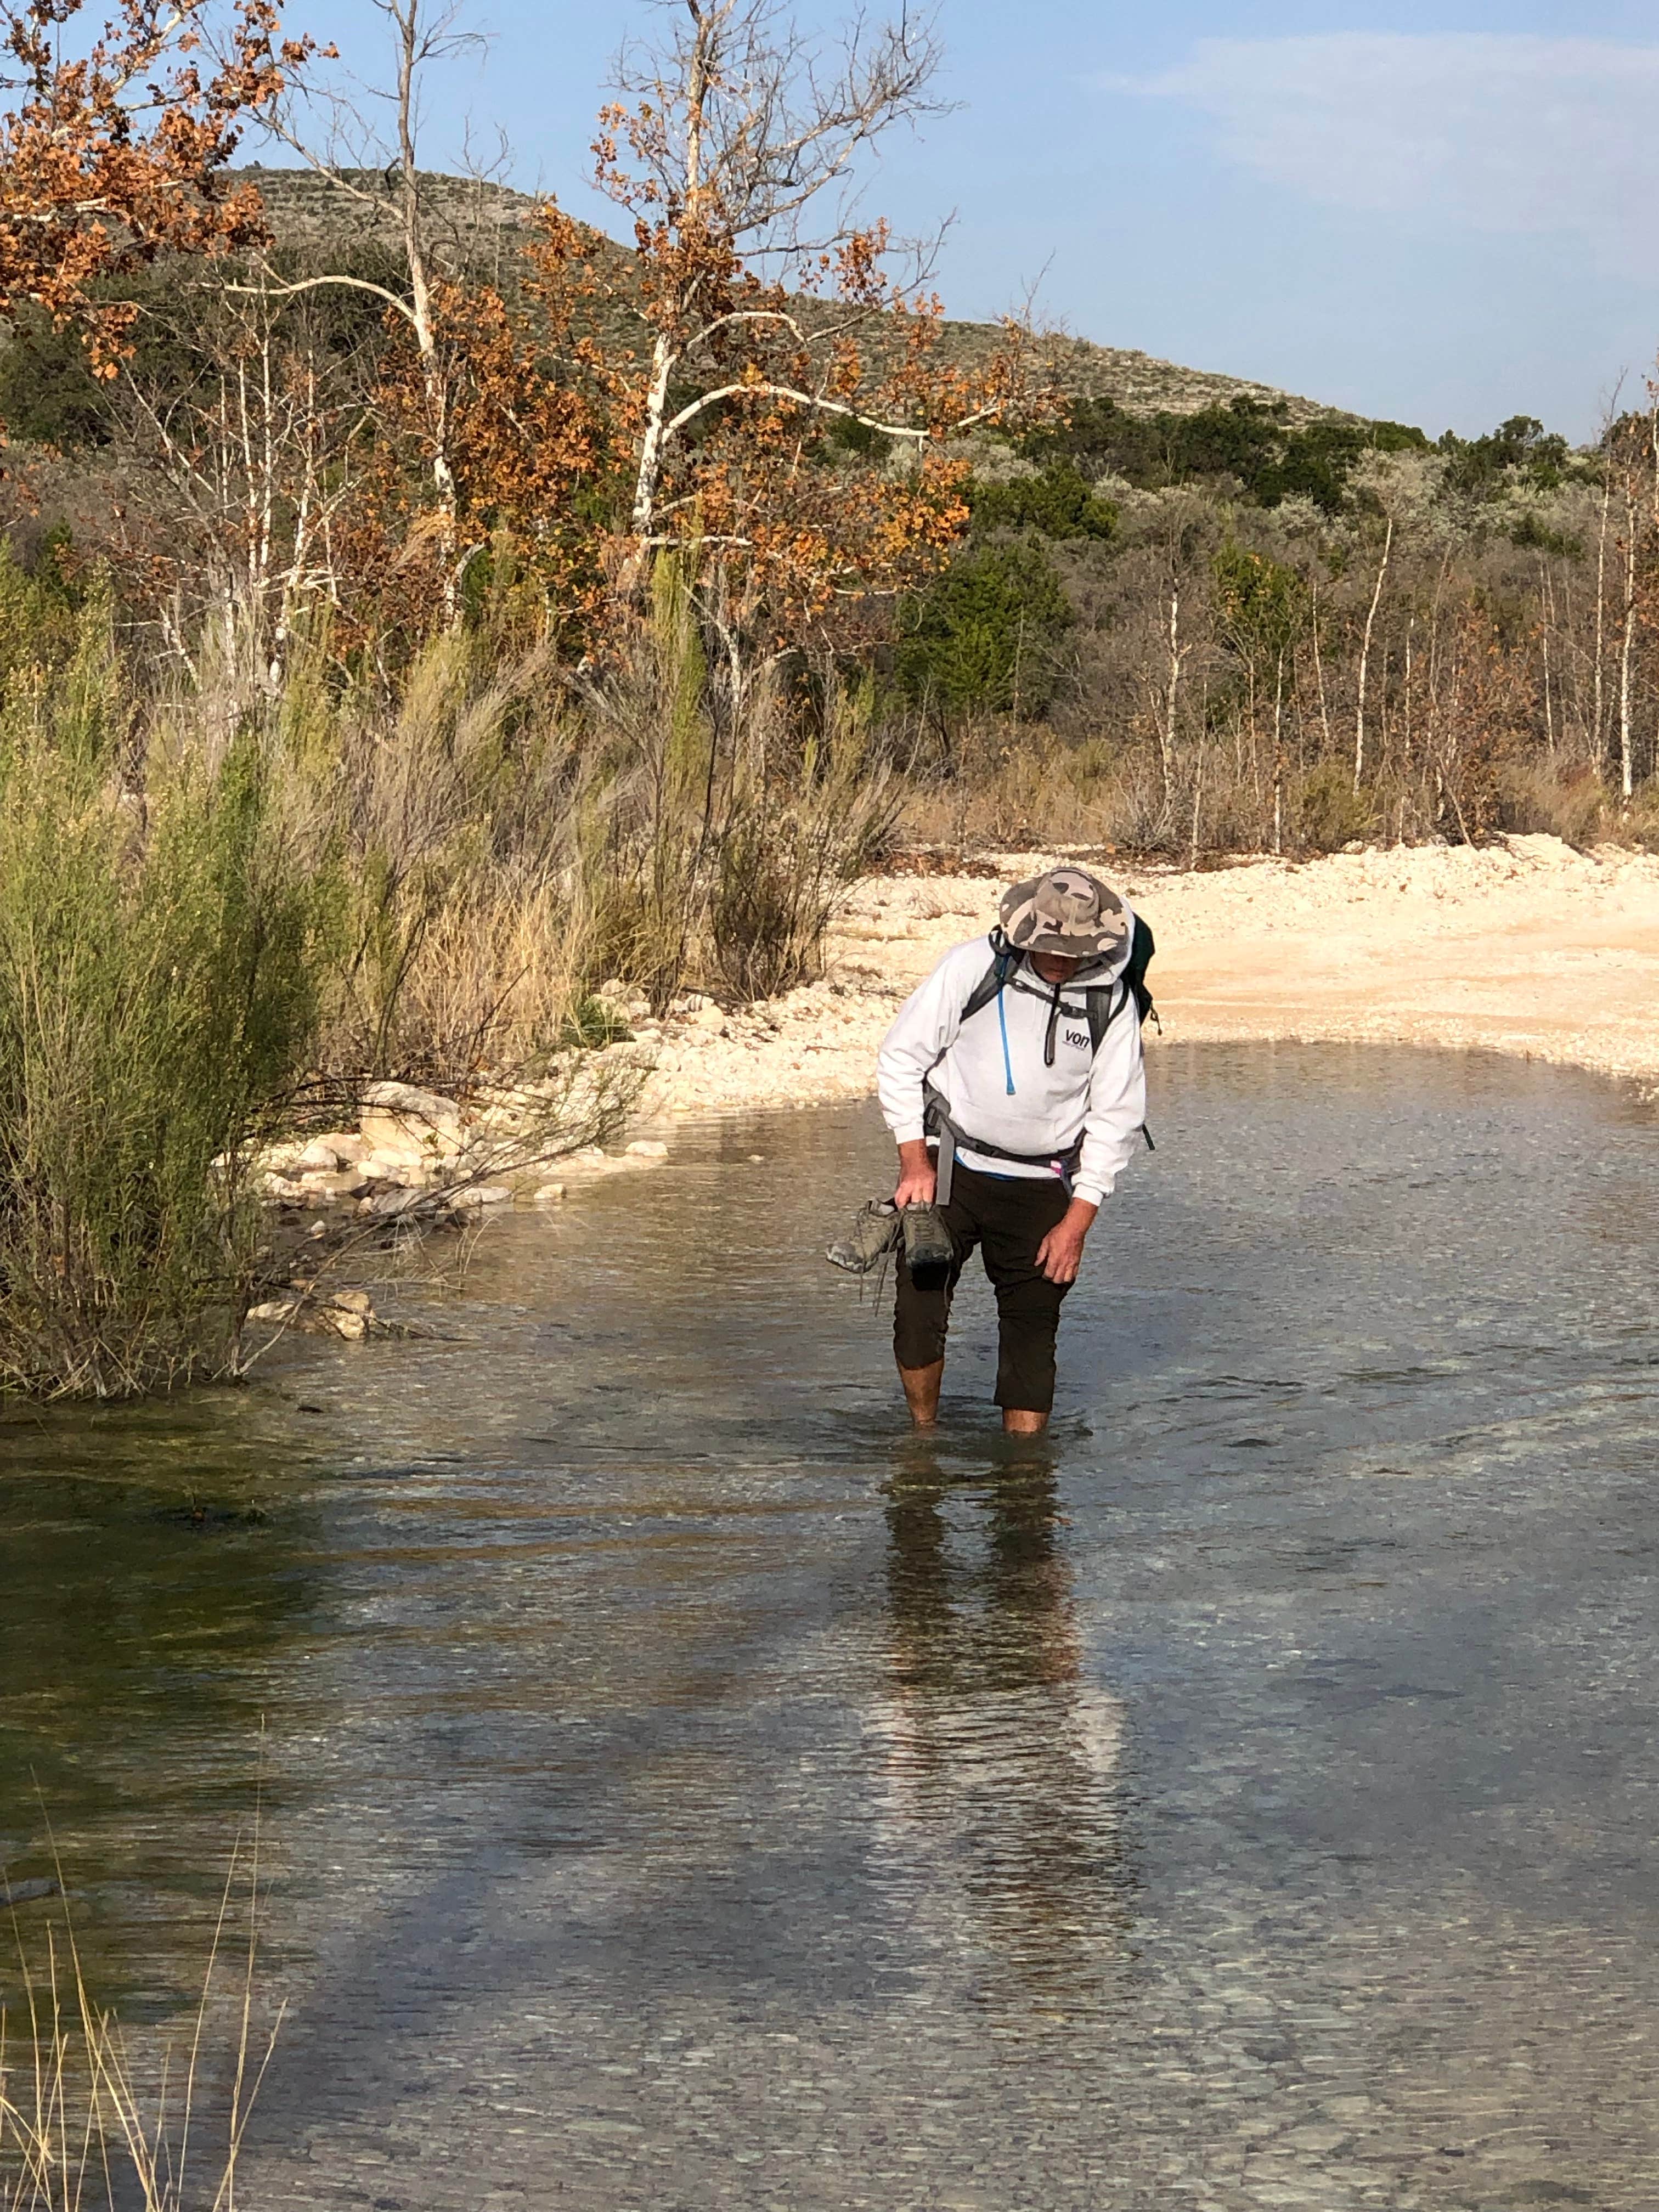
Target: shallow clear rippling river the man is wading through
[685,1791]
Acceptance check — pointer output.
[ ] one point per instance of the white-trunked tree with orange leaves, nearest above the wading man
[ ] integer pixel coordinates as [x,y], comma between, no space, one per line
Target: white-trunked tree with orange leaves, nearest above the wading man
[791,419]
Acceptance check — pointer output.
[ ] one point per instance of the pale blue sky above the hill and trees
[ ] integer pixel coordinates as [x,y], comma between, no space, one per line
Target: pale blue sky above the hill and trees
[1430,213]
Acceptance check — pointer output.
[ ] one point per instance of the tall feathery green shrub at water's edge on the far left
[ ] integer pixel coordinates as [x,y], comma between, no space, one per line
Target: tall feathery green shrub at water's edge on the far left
[158,999]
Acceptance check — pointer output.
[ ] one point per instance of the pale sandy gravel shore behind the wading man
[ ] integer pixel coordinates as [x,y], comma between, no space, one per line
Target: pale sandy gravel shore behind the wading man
[1525,948]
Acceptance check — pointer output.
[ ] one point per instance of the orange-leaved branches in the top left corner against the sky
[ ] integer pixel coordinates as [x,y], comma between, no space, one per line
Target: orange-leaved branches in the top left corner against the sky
[118,156]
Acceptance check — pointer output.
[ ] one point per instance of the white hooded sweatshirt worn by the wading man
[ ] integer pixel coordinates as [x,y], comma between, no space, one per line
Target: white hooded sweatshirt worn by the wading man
[1005,1092]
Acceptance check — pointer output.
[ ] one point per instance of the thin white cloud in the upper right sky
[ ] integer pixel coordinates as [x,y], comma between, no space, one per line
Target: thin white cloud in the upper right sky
[1472,129]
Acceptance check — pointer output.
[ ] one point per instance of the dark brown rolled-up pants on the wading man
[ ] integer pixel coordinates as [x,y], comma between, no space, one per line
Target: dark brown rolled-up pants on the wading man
[1005,1218]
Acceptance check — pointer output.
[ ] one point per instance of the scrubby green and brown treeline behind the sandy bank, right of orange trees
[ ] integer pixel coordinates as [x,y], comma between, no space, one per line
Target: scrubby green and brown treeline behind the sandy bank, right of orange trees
[1235,636]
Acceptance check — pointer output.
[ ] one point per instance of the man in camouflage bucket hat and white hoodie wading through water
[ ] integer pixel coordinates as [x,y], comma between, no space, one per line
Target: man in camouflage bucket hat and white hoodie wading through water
[1016,1089]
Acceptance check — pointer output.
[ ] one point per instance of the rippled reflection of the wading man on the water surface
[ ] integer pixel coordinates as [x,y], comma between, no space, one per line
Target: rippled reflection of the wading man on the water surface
[1001,1755]
